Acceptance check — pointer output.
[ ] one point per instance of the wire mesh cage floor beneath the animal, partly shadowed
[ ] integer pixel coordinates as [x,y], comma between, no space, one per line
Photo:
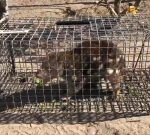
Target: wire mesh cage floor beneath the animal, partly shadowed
[27,98]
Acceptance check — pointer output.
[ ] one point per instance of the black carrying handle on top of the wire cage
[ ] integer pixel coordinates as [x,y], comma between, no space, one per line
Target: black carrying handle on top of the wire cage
[83,22]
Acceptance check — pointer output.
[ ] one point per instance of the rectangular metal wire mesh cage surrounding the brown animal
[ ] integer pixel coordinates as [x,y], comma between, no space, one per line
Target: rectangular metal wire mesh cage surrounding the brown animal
[26,43]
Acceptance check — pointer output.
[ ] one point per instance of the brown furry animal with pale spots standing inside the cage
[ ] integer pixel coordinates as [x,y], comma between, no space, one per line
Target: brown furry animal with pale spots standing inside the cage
[87,61]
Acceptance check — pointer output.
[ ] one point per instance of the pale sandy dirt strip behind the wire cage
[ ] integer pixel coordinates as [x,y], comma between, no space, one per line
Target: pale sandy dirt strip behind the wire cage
[53,8]
